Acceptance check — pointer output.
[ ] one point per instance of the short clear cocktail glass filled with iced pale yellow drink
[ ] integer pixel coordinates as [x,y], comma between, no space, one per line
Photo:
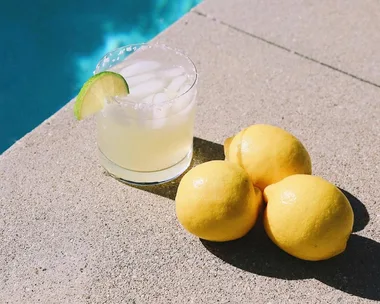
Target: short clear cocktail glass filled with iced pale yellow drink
[146,137]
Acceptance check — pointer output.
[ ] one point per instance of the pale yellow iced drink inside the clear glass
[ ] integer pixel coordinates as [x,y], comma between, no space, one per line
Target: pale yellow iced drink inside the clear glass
[151,129]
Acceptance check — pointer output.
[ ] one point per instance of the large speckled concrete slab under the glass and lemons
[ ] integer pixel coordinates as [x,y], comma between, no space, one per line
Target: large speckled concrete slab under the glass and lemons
[71,234]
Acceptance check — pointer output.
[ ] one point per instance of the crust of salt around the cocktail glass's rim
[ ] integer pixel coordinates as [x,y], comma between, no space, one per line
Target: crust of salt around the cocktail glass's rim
[122,100]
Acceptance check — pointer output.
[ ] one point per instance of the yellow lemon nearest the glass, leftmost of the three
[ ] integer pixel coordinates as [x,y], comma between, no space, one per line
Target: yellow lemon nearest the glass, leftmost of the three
[216,201]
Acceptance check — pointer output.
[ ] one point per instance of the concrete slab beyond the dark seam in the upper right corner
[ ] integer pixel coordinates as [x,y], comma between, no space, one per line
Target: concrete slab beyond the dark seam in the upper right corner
[339,33]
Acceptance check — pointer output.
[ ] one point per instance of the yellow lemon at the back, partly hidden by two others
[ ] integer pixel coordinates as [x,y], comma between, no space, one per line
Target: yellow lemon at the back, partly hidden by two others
[268,154]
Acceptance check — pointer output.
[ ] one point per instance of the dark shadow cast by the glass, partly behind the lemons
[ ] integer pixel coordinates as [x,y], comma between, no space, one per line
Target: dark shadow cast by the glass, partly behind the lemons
[203,151]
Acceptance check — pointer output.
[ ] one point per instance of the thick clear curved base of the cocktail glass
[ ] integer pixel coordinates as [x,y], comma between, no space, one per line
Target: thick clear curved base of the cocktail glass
[145,178]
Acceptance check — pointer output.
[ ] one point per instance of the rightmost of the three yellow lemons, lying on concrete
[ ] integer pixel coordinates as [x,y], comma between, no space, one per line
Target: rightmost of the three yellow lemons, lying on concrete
[308,217]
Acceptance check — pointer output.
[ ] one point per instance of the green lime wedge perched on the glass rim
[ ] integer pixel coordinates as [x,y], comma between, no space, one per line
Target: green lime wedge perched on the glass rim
[92,95]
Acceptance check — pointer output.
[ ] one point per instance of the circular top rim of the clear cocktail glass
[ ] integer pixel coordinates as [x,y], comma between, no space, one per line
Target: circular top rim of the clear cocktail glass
[123,99]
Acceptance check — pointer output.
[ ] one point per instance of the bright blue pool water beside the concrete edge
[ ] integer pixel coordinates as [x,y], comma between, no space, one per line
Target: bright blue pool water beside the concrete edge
[50,47]
